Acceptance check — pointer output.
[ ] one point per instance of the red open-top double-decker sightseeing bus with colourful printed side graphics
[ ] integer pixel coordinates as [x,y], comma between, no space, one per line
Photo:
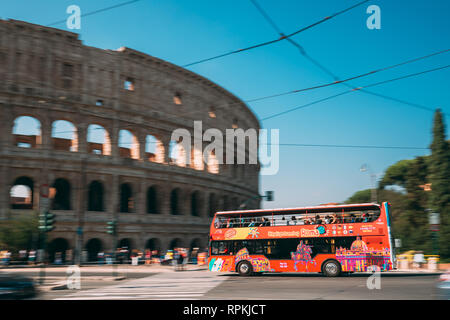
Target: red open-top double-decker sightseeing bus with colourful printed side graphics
[330,239]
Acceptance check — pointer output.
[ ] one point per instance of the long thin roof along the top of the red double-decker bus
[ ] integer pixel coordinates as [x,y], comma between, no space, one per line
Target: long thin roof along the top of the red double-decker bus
[313,209]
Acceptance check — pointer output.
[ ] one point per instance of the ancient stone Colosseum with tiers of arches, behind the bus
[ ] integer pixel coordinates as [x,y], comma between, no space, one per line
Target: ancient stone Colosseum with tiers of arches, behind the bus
[95,126]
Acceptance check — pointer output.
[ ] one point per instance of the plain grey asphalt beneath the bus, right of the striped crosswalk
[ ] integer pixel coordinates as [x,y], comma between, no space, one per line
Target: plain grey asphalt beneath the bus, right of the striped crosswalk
[316,287]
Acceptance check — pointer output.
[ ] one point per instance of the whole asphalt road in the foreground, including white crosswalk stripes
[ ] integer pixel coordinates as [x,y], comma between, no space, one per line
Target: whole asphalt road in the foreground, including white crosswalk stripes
[164,283]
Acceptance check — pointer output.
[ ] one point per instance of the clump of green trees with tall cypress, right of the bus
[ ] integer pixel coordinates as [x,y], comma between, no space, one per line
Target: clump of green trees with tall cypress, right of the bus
[410,210]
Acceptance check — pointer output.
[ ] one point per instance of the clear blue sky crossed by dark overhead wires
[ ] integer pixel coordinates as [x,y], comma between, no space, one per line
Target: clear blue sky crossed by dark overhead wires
[185,31]
